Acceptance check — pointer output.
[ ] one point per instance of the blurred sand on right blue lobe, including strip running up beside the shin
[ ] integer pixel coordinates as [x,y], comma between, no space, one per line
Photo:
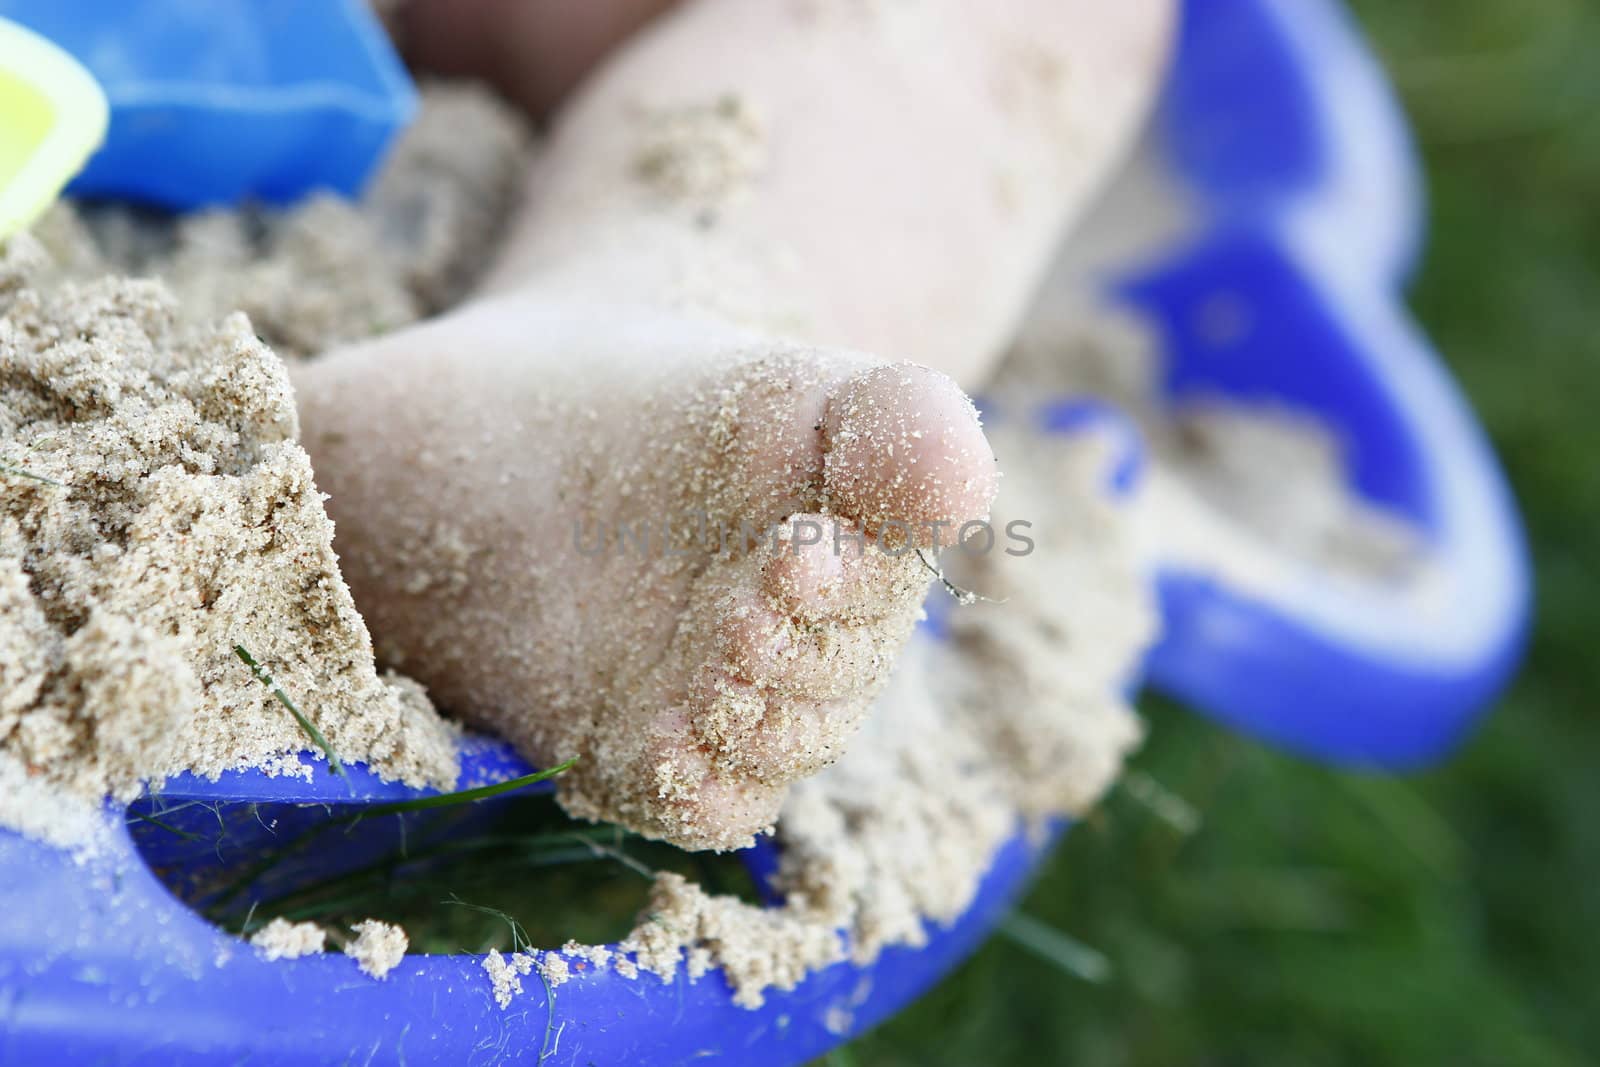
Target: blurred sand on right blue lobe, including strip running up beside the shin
[1247,490]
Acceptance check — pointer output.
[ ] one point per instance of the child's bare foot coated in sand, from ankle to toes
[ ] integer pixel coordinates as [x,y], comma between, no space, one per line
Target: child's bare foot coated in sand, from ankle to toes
[561,521]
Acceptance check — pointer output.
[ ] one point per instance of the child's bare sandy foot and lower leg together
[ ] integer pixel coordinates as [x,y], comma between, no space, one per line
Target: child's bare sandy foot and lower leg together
[711,225]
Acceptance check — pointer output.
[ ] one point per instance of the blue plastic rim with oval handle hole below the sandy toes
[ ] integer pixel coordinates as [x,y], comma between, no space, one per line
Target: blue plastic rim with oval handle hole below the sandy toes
[103,965]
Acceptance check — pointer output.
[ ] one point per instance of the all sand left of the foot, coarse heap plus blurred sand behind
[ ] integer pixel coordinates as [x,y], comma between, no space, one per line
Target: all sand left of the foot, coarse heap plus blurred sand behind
[158,508]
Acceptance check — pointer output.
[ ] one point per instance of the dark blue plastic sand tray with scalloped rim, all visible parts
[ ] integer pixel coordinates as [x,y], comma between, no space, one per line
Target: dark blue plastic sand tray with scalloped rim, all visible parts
[1282,126]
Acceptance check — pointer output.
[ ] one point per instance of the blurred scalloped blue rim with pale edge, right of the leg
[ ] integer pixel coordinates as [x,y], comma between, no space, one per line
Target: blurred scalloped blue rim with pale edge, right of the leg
[1310,182]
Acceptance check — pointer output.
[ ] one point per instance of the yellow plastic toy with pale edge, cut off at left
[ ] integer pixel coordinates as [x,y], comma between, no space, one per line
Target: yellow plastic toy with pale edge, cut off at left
[52,118]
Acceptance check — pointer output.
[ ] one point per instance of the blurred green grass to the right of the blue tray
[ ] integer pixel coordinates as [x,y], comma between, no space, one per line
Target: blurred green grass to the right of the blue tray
[1318,917]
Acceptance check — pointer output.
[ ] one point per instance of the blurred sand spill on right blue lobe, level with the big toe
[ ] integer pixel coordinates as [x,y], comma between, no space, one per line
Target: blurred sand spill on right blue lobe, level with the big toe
[1236,487]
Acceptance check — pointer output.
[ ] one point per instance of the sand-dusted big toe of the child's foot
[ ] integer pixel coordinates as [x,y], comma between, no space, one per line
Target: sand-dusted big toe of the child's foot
[906,450]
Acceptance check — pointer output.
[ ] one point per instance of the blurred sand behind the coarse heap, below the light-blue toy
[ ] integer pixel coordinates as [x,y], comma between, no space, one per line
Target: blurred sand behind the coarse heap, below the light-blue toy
[329,271]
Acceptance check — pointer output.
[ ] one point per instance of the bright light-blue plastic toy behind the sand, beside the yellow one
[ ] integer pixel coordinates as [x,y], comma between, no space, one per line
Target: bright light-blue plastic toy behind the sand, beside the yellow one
[268,102]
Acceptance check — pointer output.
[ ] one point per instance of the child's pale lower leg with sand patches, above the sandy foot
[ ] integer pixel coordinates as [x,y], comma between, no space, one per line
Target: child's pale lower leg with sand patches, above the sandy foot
[884,175]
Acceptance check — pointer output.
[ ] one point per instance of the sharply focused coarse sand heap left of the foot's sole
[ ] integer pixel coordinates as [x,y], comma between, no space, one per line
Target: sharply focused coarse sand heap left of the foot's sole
[156,514]
